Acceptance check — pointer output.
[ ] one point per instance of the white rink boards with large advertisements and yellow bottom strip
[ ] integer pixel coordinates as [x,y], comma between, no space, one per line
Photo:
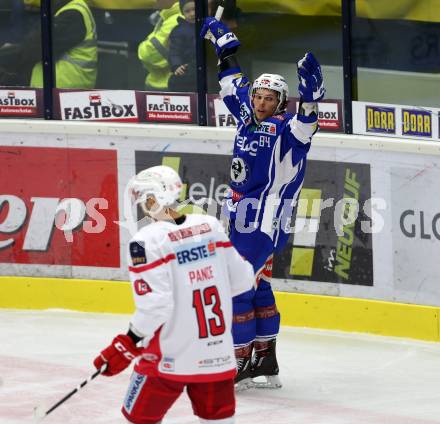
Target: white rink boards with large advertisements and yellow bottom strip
[365,238]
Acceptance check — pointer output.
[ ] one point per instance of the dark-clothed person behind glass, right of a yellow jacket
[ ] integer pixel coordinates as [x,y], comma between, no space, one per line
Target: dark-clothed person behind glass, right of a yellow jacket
[182,54]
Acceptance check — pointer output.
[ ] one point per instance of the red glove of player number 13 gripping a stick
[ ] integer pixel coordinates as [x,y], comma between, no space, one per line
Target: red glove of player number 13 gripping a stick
[118,355]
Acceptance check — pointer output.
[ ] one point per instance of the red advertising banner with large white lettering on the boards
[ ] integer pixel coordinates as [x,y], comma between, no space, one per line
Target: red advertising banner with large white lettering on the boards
[59,206]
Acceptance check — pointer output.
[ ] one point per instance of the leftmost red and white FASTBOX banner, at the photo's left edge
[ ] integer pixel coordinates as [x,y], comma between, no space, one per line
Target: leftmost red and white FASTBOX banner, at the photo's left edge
[21,103]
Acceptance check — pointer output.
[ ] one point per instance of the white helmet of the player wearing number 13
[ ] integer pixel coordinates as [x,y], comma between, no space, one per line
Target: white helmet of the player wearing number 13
[161,181]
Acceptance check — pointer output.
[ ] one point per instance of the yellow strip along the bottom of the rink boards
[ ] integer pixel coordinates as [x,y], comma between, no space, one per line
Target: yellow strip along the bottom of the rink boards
[297,310]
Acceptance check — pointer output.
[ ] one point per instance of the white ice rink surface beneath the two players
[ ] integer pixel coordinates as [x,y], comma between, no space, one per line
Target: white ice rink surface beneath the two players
[328,377]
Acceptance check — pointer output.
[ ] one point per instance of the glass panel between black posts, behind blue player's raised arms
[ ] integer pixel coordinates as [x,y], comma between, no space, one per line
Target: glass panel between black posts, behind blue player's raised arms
[275,35]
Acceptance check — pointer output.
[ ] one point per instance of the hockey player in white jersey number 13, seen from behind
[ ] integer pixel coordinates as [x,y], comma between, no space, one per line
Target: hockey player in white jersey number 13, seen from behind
[184,272]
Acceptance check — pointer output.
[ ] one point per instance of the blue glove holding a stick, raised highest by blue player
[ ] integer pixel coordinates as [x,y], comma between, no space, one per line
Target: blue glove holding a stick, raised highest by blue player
[225,41]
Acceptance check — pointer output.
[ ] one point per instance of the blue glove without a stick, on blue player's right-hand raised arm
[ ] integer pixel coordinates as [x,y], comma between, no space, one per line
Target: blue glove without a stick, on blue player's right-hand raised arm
[311,85]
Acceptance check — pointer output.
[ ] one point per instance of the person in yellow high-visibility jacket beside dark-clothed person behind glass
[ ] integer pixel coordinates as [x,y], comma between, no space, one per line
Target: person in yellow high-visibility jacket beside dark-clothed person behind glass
[153,52]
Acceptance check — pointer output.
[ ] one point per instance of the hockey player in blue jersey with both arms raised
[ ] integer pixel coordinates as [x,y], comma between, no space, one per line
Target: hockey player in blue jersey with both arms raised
[267,173]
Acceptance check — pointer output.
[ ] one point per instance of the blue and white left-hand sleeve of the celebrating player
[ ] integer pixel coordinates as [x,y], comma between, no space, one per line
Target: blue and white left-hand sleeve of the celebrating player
[235,93]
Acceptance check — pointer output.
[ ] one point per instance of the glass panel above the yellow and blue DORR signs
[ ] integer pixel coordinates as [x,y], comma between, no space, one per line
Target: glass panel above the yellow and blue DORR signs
[396,51]
